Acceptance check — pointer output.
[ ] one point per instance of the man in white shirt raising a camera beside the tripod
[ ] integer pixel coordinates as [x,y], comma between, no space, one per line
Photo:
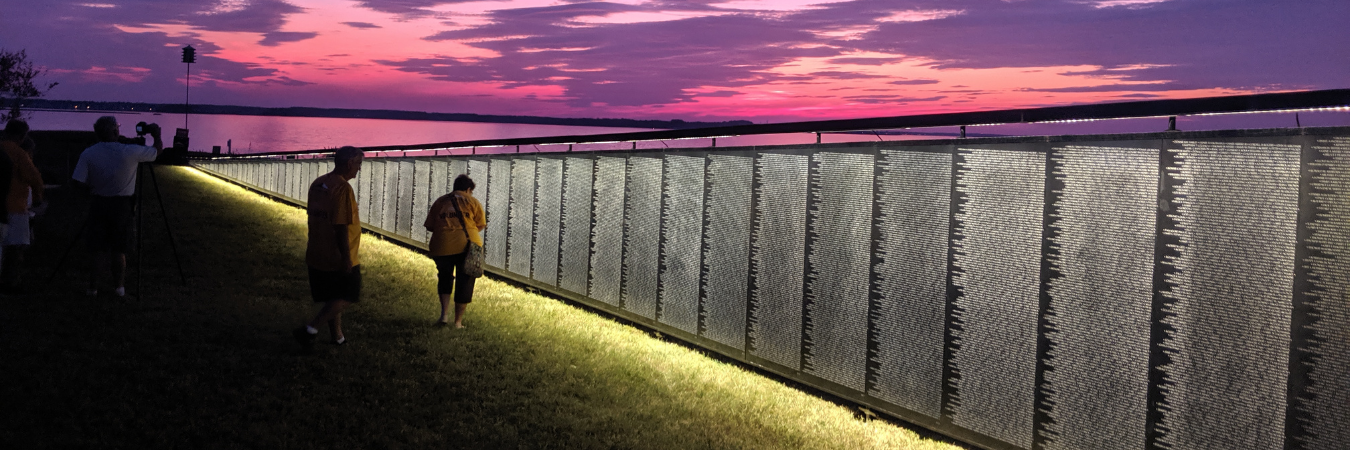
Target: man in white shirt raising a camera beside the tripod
[110,170]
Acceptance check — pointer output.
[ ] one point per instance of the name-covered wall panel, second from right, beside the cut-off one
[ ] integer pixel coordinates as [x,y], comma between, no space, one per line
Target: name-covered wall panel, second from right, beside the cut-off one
[1229,290]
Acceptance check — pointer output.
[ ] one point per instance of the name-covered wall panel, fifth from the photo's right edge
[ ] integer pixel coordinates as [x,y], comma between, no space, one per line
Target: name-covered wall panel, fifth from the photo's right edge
[915,205]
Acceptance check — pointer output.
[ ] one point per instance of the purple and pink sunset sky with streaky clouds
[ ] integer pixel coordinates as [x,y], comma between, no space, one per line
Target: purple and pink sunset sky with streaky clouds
[700,60]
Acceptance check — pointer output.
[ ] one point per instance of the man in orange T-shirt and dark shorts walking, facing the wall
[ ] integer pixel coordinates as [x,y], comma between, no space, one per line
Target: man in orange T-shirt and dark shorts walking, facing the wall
[334,247]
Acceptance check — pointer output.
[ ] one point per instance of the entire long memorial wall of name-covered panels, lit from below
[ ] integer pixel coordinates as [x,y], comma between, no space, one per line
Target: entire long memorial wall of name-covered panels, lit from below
[1167,291]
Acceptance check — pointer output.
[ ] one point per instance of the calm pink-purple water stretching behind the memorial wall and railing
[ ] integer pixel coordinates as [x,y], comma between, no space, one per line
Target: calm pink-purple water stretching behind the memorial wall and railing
[256,134]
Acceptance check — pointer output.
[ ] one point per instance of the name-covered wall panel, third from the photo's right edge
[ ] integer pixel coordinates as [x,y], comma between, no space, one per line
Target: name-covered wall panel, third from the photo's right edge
[1102,222]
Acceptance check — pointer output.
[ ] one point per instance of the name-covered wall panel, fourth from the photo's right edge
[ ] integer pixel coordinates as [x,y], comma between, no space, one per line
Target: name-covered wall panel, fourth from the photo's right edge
[998,276]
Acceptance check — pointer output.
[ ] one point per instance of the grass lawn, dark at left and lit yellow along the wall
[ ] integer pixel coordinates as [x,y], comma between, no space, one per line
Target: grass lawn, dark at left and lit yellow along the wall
[213,366]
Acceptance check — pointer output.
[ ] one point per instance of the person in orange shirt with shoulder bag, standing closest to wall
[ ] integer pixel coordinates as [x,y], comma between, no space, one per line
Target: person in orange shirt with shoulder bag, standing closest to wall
[453,221]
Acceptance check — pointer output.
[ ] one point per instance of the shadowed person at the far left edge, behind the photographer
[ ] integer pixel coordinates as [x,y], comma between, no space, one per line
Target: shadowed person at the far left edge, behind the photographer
[25,193]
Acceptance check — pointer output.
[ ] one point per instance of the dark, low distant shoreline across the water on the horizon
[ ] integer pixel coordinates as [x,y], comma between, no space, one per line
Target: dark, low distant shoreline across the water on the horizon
[130,107]
